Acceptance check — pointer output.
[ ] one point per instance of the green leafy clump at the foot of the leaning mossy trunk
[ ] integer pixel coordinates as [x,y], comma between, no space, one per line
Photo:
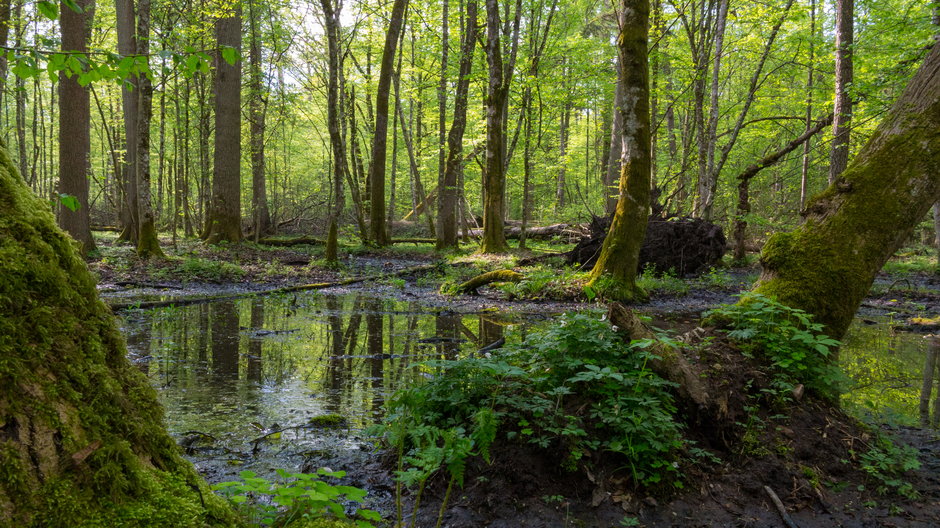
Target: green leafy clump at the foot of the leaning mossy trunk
[788,337]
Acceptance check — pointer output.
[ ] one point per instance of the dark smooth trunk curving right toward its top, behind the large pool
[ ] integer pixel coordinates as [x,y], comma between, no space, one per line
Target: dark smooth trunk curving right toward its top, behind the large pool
[377,226]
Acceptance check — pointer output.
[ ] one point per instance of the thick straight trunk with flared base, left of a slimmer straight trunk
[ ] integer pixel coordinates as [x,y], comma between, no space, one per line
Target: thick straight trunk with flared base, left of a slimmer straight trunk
[223,221]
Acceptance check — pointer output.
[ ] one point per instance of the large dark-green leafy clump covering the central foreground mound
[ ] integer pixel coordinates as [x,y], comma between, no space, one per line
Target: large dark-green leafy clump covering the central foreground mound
[575,390]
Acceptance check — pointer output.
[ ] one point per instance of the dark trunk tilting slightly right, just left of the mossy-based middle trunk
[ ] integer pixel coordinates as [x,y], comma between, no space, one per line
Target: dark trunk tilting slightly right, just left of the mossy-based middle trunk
[448,194]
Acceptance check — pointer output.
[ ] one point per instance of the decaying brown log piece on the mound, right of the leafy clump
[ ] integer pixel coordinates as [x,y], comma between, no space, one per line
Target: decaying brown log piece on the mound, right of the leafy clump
[671,365]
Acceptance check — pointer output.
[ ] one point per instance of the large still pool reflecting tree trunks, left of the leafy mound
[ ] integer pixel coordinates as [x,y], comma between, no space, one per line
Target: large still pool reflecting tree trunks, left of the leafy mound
[231,373]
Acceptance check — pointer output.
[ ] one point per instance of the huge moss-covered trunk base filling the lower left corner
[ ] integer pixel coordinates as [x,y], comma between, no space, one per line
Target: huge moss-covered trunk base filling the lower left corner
[82,440]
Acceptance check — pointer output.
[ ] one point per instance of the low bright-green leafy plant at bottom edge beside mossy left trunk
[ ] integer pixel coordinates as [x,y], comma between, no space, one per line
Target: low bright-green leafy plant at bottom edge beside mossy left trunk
[294,497]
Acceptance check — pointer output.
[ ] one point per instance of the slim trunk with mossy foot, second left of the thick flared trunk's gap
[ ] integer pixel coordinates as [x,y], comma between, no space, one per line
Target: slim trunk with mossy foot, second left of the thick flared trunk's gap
[147,243]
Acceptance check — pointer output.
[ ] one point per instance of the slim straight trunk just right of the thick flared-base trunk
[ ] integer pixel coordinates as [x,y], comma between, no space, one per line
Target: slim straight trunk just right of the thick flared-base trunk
[260,217]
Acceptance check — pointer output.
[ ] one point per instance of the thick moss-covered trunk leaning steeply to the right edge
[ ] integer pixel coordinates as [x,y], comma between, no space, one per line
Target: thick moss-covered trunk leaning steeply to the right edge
[827,265]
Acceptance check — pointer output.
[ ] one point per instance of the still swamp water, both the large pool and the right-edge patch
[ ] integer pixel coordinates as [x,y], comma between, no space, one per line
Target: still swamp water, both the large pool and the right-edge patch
[291,381]
